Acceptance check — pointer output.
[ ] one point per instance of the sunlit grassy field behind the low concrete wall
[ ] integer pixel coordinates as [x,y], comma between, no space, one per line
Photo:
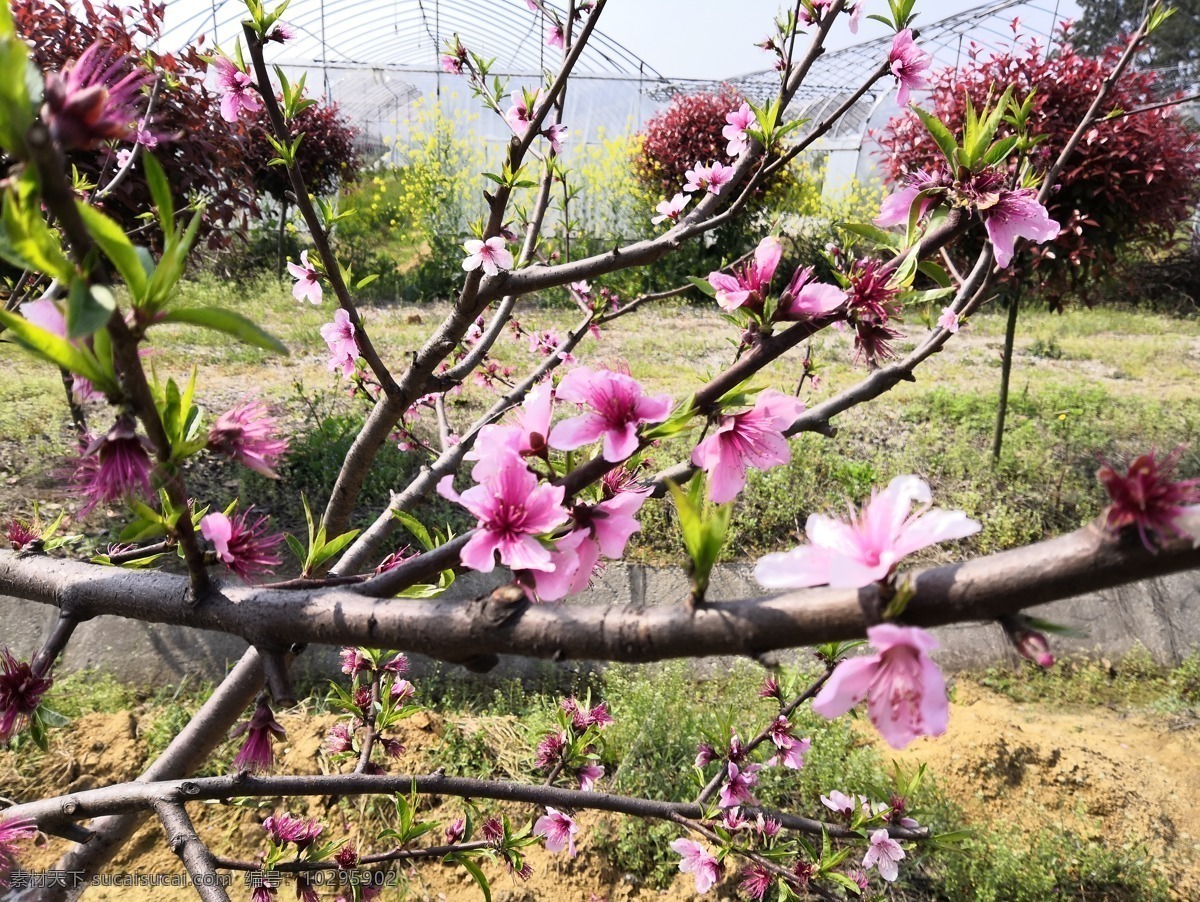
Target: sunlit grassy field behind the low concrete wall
[1087,384]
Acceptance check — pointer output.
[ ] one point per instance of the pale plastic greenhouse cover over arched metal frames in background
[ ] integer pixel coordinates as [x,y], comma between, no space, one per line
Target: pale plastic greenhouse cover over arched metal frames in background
[380,61]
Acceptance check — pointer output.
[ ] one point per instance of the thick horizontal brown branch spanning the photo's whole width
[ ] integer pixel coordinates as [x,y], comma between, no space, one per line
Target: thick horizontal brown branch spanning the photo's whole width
[980,590]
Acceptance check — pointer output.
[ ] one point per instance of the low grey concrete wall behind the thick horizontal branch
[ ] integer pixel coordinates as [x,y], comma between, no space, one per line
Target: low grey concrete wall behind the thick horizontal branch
[1162,615]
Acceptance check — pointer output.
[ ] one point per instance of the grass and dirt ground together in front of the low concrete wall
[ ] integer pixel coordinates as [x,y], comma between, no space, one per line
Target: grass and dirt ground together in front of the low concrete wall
[1063,844]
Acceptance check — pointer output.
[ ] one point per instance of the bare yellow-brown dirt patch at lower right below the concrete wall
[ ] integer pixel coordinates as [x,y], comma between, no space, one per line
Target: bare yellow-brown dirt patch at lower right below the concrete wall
[1099,773]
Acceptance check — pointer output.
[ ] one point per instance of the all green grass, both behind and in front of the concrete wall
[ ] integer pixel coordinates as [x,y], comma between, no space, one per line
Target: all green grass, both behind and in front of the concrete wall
[1087,384]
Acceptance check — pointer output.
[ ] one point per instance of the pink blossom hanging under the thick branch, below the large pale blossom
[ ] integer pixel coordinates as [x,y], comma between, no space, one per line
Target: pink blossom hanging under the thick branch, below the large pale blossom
[904,690]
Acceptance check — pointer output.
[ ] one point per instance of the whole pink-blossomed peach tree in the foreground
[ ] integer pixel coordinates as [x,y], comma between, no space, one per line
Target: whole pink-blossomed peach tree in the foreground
[553,476]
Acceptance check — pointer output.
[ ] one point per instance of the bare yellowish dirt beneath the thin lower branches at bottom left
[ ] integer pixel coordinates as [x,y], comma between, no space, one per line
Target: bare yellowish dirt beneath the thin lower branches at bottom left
[113,753]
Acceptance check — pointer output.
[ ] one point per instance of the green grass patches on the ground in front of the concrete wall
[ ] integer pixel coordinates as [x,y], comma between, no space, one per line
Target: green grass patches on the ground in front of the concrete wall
[662,711]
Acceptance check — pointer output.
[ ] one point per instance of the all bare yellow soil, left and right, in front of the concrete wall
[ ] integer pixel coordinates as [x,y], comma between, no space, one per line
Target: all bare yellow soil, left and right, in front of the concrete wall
[1097,772]
